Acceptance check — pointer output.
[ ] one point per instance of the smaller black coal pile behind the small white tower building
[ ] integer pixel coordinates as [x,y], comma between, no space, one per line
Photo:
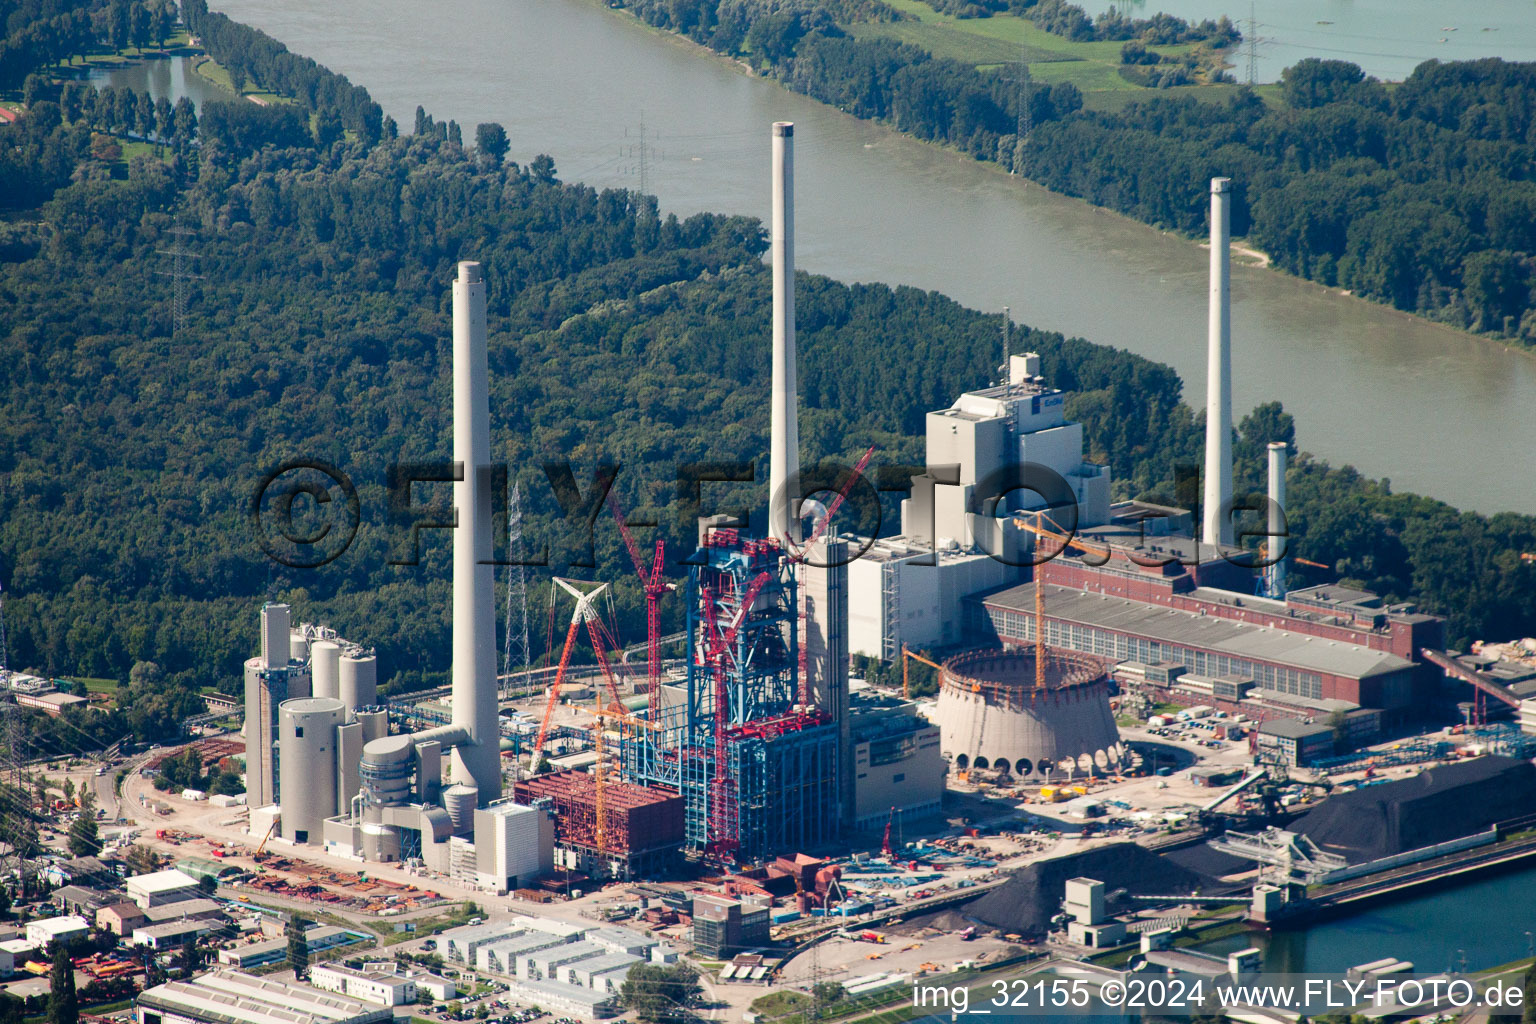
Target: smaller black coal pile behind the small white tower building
[1033,896]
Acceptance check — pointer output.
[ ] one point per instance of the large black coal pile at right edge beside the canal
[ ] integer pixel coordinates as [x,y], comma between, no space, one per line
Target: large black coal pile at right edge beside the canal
[1434,807]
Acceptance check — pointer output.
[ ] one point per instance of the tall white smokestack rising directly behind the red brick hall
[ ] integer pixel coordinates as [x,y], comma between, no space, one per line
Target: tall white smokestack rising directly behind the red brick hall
[1219,374]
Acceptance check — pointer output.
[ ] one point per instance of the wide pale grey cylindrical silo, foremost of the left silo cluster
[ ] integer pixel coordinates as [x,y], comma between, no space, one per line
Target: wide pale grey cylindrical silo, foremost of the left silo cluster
[308,765]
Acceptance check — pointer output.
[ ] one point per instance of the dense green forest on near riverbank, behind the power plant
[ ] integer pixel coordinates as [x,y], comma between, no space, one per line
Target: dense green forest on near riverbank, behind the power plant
[319,328]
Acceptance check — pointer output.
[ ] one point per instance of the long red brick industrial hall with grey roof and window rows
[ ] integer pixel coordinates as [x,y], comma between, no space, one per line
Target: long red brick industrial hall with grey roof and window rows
[1153,604]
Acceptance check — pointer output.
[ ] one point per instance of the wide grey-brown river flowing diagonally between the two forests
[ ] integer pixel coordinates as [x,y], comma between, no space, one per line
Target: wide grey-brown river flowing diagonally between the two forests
[1432,409]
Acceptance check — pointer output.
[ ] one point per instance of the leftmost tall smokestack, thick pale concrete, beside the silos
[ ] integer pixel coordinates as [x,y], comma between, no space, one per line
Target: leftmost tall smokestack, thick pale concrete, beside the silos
[474,610]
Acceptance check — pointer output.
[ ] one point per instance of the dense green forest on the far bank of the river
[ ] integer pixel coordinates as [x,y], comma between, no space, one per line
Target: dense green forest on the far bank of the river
[1420,196]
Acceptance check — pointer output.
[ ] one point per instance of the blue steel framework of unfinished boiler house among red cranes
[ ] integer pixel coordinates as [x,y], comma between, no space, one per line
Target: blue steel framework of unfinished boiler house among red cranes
[778,790]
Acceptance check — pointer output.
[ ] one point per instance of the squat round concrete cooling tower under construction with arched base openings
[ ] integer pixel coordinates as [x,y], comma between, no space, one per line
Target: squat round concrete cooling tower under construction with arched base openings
[993,718]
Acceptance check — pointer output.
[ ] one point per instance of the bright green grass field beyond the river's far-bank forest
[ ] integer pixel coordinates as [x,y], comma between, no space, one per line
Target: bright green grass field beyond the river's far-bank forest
[1005,39]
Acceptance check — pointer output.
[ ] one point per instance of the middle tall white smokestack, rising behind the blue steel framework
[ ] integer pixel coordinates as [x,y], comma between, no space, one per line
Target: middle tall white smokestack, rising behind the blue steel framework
[784,452]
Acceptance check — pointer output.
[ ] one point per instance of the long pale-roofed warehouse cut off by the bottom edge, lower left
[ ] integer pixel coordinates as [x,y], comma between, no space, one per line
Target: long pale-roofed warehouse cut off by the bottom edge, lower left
[230,997]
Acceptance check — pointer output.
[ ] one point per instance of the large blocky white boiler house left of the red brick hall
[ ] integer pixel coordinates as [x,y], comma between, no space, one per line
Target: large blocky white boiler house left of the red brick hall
[909,590]
